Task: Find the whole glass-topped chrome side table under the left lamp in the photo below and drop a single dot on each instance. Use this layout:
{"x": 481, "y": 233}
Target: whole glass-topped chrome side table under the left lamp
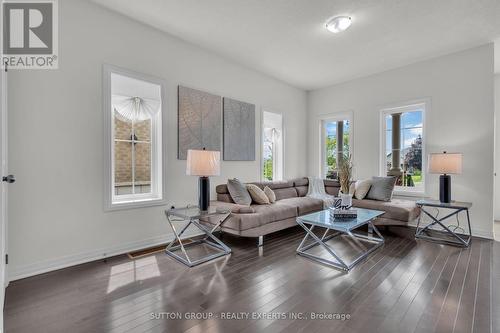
{"x": 192, "y": 214}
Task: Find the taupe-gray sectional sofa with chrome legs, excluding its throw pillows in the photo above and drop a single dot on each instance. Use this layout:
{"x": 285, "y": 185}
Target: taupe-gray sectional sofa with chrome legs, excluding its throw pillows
{"x": 291, "y": 201}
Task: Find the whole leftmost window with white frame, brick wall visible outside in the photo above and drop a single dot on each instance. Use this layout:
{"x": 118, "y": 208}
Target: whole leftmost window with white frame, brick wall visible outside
{"x": 134, "y": 131}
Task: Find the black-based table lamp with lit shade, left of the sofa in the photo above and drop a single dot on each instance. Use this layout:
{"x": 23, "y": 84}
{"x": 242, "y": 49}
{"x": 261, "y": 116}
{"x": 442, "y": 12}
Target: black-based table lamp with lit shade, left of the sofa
{"x": 203, "y": 163}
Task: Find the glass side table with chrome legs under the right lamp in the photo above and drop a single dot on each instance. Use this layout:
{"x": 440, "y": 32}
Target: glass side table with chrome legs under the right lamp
{"x": 454, "y": 238}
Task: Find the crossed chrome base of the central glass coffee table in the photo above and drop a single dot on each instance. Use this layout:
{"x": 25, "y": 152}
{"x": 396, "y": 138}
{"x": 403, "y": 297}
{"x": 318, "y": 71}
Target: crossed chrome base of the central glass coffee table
{"x": 336, "y": 261}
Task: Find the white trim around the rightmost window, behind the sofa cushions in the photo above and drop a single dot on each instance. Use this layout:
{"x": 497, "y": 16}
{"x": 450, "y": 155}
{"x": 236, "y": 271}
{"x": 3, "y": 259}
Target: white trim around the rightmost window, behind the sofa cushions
{"x": 408, "y": 106}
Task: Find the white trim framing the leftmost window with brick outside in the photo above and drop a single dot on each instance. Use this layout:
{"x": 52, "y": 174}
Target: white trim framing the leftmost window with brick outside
{"x": 158, "y": 163}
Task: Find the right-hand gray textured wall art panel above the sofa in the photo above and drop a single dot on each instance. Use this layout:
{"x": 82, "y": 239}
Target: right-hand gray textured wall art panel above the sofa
{"x": 239, "y": 130}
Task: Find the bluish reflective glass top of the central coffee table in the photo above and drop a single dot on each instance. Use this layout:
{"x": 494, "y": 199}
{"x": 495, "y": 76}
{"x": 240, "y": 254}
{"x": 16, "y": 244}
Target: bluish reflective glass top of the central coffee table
{"x": 323, "y": 219}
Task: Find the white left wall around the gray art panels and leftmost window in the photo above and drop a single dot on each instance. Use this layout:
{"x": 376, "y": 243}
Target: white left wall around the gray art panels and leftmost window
{"x": 56, "y": 212}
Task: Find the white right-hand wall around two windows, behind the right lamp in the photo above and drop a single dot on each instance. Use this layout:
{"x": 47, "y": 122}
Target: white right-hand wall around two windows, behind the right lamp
{"x": 460, "y": 87}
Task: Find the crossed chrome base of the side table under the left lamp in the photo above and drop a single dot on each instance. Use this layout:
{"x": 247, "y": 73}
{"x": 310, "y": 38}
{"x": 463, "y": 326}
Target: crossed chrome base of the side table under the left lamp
{"x": 208, "y": 239}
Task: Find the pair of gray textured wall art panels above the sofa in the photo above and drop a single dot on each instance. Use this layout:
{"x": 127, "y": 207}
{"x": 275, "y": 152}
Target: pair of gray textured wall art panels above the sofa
{"x": 206, "y": 121}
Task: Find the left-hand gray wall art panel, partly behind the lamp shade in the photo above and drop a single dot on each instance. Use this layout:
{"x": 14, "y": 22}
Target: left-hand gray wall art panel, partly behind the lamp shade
{"x": 199, "y": 121}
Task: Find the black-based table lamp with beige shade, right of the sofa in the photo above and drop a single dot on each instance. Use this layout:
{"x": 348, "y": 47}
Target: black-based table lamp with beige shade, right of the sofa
{"x": 445, "y": 164}
